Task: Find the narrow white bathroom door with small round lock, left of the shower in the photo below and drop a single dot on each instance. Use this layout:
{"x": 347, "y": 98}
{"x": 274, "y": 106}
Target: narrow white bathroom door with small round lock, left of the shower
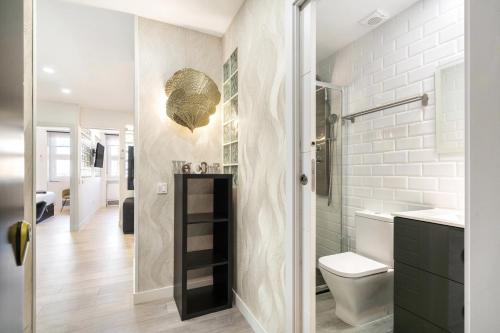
{"x": 308, "y": 163}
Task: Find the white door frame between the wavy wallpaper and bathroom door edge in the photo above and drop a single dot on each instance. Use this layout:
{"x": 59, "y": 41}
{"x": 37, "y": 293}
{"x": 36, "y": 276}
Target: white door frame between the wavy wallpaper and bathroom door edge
{"x": 297, "y": 315}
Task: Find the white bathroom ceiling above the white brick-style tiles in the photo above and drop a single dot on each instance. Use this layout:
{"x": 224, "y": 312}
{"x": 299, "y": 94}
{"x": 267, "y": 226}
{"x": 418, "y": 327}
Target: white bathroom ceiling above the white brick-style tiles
{"x": 338, "y": 21}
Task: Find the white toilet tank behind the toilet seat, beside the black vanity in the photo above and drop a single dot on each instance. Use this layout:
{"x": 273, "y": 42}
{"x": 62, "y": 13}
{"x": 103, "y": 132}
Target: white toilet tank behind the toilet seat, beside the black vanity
{"x": 375, "y": 236}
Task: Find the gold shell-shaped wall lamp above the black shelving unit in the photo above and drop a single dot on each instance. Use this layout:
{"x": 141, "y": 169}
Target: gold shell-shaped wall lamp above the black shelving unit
{"x": 192, "y": 97}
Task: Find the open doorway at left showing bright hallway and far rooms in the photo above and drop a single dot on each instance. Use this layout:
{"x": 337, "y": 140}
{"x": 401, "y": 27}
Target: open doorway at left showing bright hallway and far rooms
{"x": 83, "y": 108}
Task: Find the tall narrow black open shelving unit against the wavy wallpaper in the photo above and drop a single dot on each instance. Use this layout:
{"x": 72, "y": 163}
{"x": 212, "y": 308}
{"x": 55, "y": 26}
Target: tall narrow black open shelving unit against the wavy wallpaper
{"x": 198, "y": 301}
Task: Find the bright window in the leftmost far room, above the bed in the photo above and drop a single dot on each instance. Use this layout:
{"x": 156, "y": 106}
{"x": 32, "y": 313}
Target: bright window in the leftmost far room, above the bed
{"x": 59, "y": 155}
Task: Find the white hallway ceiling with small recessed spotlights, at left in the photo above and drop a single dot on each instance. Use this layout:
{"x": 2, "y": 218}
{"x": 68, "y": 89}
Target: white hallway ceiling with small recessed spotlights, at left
{"x": 91, "y": 51}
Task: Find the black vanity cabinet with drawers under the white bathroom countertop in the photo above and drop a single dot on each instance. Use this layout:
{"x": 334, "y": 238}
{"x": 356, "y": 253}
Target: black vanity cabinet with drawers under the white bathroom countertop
{"x": 428, "y": 277}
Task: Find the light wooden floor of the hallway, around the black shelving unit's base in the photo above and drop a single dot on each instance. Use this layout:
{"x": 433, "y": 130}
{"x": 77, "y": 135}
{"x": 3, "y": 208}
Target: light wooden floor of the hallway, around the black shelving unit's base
{"x": 84, "y": 284}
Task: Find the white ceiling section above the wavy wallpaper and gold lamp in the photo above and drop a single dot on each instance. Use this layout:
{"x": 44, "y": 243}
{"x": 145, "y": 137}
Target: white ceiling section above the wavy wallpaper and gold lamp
{"x": 208, "y": 16}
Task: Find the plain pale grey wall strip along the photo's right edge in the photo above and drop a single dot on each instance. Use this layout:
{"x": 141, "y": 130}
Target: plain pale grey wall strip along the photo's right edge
{"x": 482, "y": 223}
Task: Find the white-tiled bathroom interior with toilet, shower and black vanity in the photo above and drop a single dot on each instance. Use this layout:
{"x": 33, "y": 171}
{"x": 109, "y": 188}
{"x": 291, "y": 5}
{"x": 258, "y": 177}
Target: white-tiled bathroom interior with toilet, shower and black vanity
{"x": 389, "y": 158}
